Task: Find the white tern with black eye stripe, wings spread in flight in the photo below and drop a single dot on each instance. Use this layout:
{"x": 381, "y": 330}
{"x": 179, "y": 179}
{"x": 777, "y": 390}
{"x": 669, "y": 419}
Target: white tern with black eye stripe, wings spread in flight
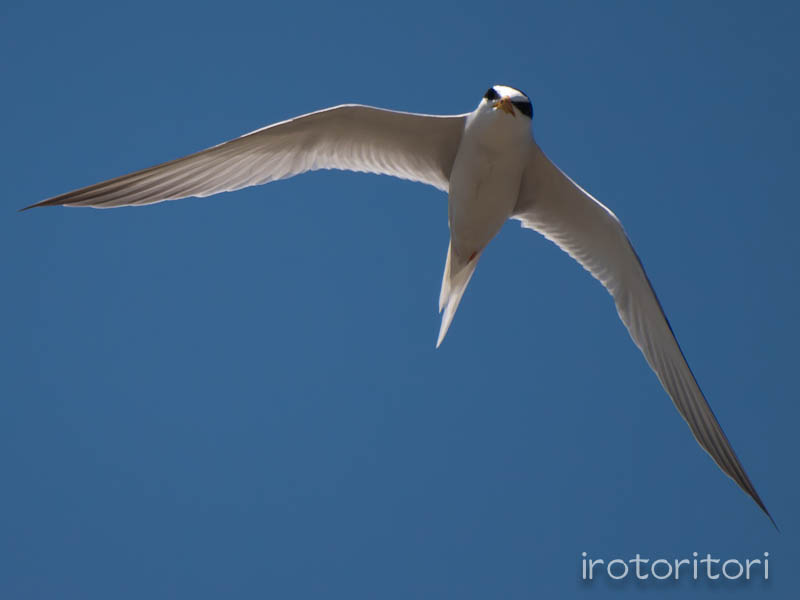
{"x": 492, "y": 169}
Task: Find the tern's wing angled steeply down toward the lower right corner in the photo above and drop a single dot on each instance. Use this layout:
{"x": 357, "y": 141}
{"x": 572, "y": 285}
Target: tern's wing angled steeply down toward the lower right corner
{"x": 553, "y": 205}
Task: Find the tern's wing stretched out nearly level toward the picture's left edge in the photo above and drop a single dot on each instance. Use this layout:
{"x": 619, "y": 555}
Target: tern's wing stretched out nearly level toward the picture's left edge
{"x": 349, "y": 137}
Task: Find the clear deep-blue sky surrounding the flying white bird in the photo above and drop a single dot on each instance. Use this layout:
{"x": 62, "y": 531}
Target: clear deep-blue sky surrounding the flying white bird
{"x": 239, "y": 396}
